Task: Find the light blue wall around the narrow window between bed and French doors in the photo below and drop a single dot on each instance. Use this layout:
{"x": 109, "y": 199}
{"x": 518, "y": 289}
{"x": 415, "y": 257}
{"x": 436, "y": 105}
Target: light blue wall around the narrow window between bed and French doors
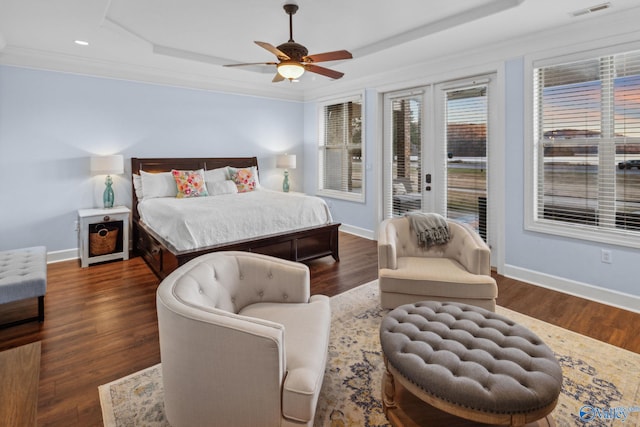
{"x": 362, "y": 217}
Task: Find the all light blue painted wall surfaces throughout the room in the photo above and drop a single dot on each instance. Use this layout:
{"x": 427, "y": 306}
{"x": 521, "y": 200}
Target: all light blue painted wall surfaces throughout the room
{"x": 51, "y": 123}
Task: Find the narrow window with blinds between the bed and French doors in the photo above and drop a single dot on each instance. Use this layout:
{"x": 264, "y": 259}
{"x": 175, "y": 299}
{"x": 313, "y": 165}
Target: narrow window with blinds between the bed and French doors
{"x": 341, "y": 148}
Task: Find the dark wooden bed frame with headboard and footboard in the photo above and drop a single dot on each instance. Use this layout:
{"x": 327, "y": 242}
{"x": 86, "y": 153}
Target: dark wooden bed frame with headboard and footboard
{"x": 163, "y": 254}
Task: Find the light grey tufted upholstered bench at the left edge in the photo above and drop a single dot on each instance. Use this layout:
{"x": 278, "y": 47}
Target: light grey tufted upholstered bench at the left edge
{"x": 23, "y": 274}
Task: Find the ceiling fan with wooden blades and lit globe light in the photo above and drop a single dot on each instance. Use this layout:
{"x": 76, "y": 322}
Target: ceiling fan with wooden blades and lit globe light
{"x": 293, "y": 58}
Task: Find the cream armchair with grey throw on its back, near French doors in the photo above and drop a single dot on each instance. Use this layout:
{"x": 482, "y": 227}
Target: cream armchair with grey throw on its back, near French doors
{"x": 459, "y": 270}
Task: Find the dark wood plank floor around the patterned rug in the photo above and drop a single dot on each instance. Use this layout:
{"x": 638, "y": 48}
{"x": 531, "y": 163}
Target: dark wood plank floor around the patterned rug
{"x": 101, "y": 323}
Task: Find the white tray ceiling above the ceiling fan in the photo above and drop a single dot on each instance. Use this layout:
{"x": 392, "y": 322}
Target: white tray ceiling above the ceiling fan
{"x": 189, "y": 40}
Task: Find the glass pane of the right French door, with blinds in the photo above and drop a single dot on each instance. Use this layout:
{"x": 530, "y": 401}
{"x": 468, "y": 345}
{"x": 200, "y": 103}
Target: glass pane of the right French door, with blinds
{"x": 466, "y": 147}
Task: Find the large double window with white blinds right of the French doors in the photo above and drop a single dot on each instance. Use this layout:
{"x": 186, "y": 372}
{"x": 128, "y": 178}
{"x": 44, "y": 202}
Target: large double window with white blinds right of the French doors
{"x": 586, "y": 144}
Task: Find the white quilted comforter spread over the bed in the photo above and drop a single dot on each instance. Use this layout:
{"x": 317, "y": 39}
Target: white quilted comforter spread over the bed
{"x": 204, "y": 221}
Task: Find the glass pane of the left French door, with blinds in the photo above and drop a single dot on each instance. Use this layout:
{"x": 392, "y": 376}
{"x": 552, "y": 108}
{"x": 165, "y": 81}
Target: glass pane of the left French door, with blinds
{"x": 406, "y": 128}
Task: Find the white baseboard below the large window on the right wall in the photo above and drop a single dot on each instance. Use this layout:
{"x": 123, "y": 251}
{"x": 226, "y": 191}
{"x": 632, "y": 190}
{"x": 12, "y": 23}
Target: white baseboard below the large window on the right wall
{"x": 583, "y": 290}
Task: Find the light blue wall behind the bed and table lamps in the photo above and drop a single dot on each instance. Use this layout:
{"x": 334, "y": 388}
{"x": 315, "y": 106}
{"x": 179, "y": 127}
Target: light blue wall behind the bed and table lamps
{"x": 51, "y": 123}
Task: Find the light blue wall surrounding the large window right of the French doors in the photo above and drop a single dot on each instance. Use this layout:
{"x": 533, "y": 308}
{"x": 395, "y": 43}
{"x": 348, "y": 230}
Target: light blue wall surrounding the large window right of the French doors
{"x": 573, "y": 259}
